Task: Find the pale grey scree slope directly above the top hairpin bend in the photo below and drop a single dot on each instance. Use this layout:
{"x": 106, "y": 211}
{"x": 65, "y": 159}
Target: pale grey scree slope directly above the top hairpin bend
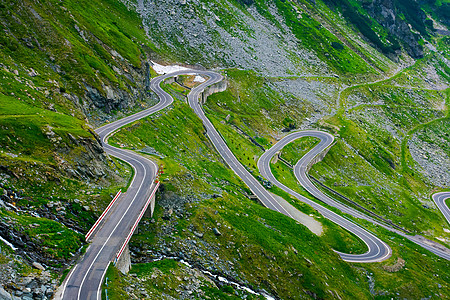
{"x": 253, "y": 43}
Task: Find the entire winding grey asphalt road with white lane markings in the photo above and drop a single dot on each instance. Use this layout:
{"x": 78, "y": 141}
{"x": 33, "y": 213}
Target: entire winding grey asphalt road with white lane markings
{"x": 85, "y": 279}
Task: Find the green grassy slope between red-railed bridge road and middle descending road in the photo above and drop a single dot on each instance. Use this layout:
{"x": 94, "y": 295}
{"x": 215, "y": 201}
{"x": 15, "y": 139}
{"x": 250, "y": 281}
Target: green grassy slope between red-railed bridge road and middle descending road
{"x": 263, "y": 249}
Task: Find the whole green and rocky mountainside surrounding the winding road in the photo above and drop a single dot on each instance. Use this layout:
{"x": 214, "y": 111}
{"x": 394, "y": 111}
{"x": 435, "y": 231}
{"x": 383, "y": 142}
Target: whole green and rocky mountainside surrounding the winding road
{"x": 373, "y": 73}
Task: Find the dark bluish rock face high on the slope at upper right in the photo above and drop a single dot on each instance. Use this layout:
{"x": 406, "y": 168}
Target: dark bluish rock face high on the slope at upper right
{"x": 385, "y": 12}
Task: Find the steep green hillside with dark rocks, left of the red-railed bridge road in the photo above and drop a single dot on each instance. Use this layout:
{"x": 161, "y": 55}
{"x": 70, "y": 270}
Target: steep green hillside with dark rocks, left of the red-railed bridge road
{"x": 54, "y": 175}
